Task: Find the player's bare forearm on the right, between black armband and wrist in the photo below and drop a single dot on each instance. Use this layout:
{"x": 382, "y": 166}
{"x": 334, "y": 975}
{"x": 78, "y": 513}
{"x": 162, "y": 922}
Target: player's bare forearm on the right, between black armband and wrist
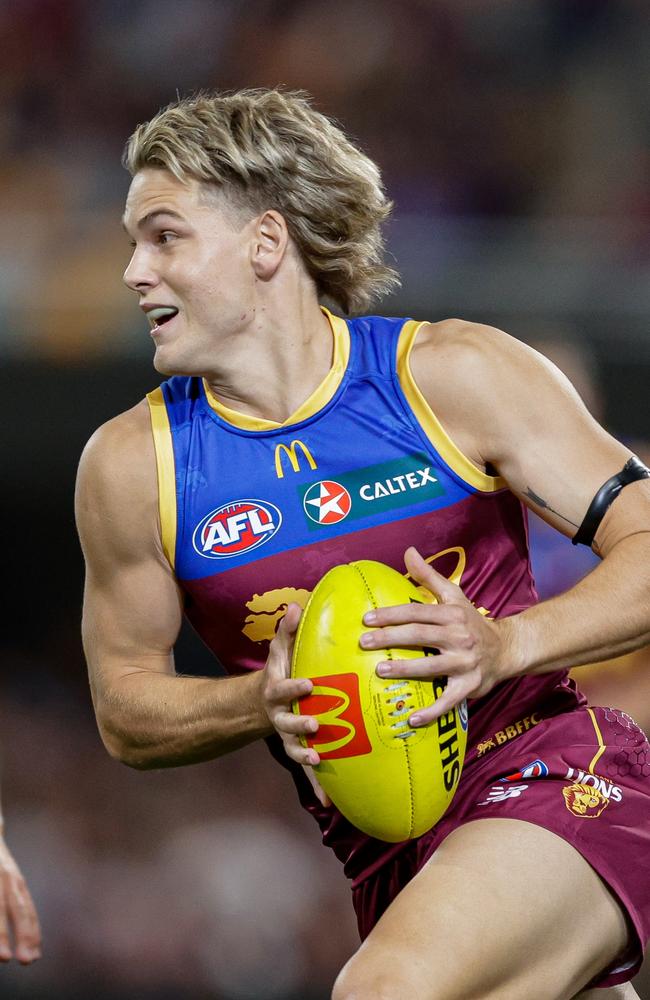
{"x": 604, "y": 615}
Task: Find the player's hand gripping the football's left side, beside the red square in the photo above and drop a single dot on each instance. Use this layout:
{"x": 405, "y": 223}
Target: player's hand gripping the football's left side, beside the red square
{"x": 279, "y": 689}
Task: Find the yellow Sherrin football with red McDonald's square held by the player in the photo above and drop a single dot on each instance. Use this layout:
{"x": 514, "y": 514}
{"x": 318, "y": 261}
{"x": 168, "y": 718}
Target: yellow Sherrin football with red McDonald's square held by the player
{"x": 390, "y": 780}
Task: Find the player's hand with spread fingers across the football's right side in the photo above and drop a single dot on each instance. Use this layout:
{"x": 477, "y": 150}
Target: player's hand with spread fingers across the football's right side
{"x": 474, "y": 653}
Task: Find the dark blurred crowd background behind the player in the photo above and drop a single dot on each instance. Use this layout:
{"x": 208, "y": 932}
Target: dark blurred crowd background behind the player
{"x": 514, "y": 138}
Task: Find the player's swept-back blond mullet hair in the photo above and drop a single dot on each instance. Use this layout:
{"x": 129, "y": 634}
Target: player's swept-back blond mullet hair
{"x": 271, "y": 149}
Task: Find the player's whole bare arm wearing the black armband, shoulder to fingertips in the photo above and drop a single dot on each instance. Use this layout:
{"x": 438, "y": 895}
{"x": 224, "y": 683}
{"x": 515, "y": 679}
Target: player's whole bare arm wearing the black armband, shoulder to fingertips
{"x": 511, "y": 410}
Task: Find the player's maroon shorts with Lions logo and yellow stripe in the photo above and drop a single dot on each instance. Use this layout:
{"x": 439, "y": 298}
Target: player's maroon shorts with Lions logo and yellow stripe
{"x": 585, "y": 776}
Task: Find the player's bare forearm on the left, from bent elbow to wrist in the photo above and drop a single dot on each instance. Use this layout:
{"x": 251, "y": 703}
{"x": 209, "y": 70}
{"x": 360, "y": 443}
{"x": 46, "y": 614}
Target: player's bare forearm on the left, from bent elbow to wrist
{"x": 150, "y": 720}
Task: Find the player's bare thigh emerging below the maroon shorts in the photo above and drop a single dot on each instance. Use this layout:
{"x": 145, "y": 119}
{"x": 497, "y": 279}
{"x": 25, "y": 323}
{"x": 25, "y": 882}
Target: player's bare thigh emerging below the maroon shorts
{"x": 503, "y": 910}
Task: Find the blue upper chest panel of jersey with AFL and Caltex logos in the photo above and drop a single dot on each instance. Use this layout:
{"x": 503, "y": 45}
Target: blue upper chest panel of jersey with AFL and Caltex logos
{"x": 359, "y": 461}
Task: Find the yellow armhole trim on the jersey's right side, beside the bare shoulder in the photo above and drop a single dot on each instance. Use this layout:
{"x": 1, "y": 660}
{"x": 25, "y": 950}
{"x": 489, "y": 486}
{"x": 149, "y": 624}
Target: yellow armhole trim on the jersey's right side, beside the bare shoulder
{"x": 430, "y": 424}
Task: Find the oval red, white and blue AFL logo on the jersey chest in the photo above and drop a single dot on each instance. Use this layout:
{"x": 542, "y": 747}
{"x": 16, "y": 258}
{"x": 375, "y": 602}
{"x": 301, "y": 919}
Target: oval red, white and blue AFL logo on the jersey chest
{"x": 236, "y": 528}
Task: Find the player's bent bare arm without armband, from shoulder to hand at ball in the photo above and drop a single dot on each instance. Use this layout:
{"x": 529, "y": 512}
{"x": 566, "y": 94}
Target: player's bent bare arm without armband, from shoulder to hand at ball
{"x": 148, "y": 715}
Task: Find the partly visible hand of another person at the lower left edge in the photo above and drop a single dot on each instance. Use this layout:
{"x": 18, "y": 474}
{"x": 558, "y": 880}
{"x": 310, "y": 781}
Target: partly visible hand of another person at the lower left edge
{"x": 19, "y": 925}
